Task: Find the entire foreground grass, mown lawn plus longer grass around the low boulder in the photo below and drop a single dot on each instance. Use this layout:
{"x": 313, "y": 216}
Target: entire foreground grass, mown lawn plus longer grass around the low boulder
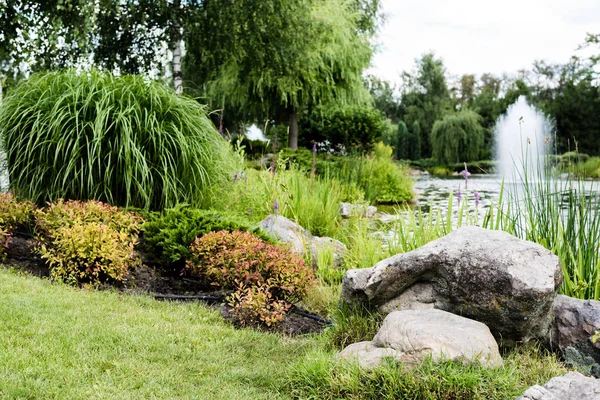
{"x": 60, "y": 342}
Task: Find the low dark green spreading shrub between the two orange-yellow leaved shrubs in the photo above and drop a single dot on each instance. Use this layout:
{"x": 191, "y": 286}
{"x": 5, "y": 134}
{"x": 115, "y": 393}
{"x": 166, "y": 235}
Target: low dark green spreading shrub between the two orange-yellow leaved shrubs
{"x": 167, "y": 237}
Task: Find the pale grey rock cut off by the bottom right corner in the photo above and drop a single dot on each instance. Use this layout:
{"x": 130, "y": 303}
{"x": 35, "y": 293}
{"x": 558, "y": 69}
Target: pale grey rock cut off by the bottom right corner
{"x": 571, "y": 386}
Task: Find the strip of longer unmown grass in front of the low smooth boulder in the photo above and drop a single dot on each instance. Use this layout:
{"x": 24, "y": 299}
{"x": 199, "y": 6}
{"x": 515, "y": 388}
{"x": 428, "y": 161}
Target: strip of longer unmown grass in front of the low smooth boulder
{"x": 317, "y": 376}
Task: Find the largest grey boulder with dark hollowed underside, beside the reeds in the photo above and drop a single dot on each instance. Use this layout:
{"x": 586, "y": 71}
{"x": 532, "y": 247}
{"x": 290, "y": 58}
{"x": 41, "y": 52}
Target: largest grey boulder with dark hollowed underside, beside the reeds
{"x": 489, "y": 276}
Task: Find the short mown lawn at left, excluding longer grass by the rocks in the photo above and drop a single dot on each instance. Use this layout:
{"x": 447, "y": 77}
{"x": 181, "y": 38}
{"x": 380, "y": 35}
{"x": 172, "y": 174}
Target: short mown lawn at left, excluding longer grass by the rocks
{"x": 58, "y": 342}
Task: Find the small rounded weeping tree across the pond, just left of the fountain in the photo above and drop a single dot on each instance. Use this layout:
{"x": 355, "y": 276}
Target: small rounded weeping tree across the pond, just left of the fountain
{"x": 457, "y": 138}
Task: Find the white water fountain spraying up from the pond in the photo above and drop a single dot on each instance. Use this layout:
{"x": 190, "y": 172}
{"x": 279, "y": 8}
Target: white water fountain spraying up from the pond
{"x": 523, "y": 137}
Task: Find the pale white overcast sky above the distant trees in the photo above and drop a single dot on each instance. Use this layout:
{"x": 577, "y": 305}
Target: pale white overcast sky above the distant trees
{"x": 478, "y": 36}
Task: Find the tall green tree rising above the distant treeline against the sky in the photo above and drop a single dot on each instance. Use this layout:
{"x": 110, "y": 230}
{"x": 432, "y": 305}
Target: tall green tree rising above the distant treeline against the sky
{"x": 426, "y": 97}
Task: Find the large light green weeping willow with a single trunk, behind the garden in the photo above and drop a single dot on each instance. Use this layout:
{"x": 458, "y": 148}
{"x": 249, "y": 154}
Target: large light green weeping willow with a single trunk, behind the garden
{"x": 288, "y": 56}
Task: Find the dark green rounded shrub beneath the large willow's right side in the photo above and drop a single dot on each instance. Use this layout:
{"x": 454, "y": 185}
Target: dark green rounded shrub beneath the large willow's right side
{"x": 347, "y": 128}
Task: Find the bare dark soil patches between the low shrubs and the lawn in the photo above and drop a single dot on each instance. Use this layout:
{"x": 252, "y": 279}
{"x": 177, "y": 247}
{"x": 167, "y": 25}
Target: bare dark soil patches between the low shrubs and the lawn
{"x": 148, "y": 280}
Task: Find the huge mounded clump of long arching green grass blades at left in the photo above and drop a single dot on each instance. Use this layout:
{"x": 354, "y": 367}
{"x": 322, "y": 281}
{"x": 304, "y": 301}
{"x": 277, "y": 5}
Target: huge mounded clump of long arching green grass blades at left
{"x": 123, "y": 140}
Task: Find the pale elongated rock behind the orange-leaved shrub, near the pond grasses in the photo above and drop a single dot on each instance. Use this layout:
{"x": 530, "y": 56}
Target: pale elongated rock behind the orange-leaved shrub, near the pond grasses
{"x": 301, "y": 240}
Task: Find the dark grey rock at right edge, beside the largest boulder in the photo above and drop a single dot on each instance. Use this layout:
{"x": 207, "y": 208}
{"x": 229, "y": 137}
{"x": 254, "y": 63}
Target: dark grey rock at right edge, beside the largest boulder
{"x": 576, "y": 332}
